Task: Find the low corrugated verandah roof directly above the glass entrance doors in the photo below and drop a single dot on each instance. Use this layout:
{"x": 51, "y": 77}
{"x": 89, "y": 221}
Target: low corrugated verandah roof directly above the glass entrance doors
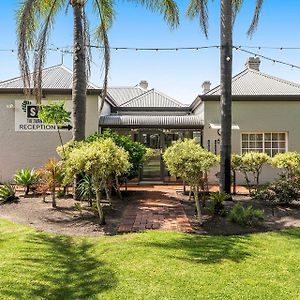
{"x": 155, "y": 121}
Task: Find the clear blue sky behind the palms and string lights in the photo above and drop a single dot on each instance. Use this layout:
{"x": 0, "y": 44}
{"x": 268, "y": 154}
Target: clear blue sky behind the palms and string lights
{"x": 179, "y": 73}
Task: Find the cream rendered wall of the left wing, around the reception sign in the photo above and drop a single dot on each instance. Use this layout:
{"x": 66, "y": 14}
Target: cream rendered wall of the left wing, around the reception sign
{"x": 31, "y": 149}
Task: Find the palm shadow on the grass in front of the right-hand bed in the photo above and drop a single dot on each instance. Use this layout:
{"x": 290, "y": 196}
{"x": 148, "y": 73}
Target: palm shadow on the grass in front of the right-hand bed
{"x": 206, "y": 249}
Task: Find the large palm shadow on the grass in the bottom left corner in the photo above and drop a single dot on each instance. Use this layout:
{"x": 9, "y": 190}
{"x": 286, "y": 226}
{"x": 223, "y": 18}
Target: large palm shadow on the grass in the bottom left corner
{"x": 59, "y": 268}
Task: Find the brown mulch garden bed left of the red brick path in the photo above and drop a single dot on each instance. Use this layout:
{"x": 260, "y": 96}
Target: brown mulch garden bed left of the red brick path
{"x": 65, "y": 219}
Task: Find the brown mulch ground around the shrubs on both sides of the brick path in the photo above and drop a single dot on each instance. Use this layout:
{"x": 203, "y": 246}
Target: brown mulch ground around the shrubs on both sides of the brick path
{"x": 66, "y": 219}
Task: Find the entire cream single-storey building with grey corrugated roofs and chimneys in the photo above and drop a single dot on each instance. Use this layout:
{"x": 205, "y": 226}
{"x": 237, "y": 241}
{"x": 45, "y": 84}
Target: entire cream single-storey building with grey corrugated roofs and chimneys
{"x": 265, "y": 113}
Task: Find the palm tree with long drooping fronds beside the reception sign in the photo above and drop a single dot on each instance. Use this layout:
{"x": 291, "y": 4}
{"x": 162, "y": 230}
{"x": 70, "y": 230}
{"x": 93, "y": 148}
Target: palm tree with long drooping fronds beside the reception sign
{"x": 35, "y": 19}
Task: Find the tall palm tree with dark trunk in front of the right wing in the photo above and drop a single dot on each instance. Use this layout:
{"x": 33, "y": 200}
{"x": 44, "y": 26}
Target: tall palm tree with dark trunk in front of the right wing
{"x": 229, "y": 9}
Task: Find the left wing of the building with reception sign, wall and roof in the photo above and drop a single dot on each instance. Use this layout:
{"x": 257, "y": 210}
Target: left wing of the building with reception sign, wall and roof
{"x": 25, "y": 142}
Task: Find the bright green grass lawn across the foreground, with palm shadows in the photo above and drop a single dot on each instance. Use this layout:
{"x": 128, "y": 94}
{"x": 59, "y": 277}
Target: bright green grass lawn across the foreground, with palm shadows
{"x": 150, "y": 265}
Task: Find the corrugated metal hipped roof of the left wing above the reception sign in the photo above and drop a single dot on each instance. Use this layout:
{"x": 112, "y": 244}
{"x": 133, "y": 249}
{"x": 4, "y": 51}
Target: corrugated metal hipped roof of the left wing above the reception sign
{"x": 56, "y": 77}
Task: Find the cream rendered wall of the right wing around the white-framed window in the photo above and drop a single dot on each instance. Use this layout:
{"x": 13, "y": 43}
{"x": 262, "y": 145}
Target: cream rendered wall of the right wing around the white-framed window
{"x": 257, "y": 116}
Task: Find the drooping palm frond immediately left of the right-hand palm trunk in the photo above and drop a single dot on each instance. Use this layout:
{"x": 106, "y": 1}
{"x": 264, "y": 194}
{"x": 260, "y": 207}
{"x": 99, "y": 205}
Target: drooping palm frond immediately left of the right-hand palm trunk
{"x": 198, "y": 8}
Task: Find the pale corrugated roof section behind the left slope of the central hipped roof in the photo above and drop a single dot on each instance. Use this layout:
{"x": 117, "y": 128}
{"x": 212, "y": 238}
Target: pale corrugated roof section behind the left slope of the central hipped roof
{"x": 123, "y": 94}
